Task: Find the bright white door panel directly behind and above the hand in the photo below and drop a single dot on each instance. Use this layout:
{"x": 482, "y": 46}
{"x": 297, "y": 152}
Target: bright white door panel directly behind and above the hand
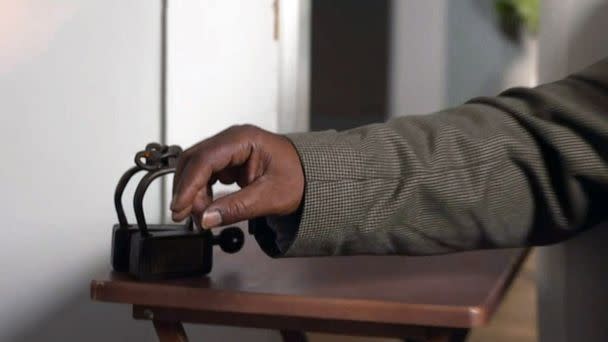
{"x": 222, "y": 68}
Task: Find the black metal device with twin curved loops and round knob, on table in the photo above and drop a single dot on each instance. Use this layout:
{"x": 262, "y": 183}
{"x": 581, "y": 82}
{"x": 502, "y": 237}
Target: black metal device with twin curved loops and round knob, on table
{"x": 161, "y": 251}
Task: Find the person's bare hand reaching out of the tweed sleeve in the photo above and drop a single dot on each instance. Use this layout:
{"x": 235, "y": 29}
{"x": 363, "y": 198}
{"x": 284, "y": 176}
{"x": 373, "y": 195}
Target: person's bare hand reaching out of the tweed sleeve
{"x": 265, "y": 165}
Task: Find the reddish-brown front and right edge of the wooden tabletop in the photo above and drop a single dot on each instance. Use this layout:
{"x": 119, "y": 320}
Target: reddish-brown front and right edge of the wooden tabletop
{"x": 364, "y": 310}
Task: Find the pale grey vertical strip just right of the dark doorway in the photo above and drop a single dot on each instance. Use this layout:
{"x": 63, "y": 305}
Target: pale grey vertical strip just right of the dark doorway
{"x": 417, "y": 56}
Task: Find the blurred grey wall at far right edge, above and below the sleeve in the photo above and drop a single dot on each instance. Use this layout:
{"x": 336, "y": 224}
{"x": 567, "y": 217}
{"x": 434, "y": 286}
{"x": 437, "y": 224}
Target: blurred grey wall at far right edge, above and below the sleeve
{"x": 572, "y": 279}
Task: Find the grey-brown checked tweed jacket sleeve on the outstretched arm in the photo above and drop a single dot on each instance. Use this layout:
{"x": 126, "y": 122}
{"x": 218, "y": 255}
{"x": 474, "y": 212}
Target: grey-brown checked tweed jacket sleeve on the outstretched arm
{"x": 528, "y": 167}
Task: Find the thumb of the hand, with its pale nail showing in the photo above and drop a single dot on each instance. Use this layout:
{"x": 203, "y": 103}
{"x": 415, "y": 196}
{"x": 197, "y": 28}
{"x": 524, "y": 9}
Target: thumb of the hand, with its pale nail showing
{"x": 245, "y": 204}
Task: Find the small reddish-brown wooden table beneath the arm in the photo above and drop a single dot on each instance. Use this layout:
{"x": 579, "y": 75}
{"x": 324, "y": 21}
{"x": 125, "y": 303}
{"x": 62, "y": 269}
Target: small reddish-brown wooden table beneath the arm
{"x": 435, "y": 298}
